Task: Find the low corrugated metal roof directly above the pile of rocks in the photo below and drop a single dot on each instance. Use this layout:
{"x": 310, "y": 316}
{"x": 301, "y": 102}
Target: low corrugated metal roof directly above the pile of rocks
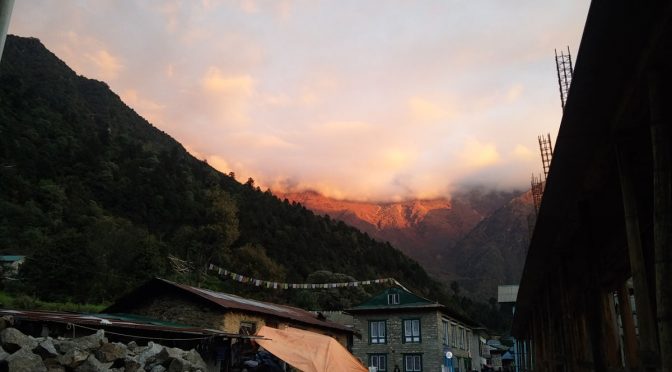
{"x": 114, "y": 320}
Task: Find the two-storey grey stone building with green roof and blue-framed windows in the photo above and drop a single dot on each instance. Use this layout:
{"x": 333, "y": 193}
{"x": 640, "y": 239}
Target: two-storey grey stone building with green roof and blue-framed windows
{"x": 403, "y": 332}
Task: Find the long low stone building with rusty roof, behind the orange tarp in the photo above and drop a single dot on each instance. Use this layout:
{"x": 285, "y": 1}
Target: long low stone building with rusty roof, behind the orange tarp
{"x": 168, "y": 301}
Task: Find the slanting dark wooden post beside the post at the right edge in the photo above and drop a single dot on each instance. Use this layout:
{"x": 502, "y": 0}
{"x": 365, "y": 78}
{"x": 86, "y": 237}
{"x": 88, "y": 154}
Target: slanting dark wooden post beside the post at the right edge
{"x": 645, "y": 316}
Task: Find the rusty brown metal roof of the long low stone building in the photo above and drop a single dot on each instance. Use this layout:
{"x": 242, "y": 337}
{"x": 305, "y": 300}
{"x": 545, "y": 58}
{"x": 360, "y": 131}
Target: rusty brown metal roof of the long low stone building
{"x": 227, "y": 301}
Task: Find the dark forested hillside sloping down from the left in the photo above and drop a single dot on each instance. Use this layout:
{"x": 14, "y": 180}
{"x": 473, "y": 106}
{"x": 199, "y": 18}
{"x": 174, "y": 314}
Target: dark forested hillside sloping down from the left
{"x": 97, "y": 198}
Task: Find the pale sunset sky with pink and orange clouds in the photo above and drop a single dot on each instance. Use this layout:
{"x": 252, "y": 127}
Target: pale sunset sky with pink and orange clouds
{"x": 378, "y": 100}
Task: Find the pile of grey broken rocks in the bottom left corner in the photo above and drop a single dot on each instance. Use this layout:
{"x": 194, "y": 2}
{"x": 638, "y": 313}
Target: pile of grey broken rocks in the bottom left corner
{"x": 93, "y": 353}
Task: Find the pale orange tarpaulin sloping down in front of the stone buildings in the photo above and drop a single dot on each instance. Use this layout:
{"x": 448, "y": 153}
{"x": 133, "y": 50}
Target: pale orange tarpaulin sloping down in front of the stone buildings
{"x": 308, "y": 351}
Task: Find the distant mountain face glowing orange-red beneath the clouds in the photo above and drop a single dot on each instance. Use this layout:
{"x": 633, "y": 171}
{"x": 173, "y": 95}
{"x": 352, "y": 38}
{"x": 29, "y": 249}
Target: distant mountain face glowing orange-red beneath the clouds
{"x": 440, "y": 233}
